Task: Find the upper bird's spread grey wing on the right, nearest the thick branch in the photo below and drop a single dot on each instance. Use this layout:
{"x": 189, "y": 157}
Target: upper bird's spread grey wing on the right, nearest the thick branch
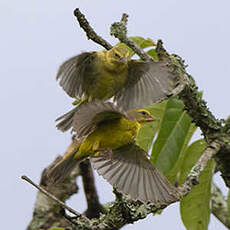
{"x": 147, "y": 83}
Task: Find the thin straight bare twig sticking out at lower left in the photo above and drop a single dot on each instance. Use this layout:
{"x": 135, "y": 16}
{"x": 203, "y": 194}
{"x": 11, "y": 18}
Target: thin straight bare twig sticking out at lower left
{"x": 53, "y": 197}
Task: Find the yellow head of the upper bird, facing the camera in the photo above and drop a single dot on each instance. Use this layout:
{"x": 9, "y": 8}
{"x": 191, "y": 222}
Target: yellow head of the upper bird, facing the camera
{"x": 117, "y": 57}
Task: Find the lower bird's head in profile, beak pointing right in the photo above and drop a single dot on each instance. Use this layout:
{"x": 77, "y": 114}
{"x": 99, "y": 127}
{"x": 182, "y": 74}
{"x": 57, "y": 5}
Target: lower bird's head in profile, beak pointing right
{"x": 140, "y": 115}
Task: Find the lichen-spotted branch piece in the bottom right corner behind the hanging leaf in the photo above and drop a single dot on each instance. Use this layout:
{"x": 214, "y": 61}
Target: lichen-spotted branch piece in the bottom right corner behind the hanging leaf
{"x": 219, "y": 206}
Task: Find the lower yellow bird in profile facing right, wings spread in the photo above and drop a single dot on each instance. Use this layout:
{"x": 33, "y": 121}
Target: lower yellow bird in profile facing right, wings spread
{"x": 109, "y": 140}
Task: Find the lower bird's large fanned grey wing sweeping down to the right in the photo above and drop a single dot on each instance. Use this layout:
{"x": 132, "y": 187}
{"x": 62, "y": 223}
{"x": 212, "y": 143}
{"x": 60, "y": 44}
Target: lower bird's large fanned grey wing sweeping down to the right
{"x": 129, "y": 170}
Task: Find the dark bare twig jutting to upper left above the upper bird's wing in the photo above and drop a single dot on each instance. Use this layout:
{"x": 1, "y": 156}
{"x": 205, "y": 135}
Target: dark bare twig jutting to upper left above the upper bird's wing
{"x": 91, "y": 34}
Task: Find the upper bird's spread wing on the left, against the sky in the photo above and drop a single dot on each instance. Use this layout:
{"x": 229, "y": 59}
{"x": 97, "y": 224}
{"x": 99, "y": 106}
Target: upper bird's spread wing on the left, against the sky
{"x": 74, "y": 74}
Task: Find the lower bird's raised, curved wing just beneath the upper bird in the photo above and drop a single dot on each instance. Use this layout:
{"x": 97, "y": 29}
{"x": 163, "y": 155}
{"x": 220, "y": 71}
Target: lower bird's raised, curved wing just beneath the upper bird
{"x": 90, "y": 115}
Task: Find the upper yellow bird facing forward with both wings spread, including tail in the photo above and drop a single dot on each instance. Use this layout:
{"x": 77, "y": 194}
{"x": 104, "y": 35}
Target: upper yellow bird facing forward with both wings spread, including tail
{"x": 106, "y": 74}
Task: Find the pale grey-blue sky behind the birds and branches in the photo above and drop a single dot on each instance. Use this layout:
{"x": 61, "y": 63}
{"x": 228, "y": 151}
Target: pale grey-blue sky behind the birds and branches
{"x": 37, "y": 36}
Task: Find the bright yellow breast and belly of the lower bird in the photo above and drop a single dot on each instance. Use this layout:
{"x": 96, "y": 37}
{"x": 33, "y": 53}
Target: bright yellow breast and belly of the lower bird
{"x": 110, "y": 136}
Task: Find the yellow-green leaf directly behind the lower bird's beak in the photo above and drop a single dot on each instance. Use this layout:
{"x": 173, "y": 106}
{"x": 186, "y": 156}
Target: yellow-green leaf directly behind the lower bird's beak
{"x": 148, "y": 130}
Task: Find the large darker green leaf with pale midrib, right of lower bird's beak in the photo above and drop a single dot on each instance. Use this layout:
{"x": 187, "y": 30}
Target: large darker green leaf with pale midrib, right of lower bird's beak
{"x": 172, "y": 136}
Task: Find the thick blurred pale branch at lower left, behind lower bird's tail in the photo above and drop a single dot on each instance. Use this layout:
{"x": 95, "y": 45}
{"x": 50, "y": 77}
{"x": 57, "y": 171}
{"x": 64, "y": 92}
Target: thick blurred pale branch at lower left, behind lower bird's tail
{"x": 47, "y": 211}
